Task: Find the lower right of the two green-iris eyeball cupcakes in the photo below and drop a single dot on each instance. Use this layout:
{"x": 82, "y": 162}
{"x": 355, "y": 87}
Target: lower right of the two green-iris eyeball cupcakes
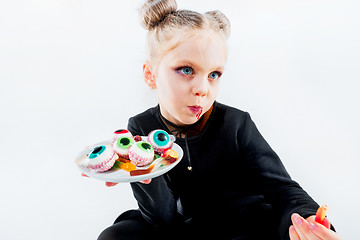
{"x": 141, "y": 153}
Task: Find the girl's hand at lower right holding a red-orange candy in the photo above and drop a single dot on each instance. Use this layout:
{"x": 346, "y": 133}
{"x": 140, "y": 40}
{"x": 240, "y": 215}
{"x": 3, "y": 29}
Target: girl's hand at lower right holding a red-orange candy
{"x": 310, "y": 230}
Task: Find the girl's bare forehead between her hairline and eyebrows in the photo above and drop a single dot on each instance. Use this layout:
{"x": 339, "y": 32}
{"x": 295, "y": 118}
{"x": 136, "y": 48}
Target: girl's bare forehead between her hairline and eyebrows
{"x": 205, "y": 48}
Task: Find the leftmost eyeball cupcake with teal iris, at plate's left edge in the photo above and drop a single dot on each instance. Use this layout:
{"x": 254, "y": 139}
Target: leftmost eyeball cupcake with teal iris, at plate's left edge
{"x": 101, "y": 158}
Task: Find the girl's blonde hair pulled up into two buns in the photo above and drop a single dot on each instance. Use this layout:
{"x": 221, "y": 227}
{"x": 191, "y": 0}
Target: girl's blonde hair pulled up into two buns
{"x": 162, "y": 19}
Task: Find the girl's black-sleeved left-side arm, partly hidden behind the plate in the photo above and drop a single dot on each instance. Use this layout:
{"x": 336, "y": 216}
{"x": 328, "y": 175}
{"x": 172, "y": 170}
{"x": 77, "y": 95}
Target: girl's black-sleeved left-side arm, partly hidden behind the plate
{"x": 155, "y": 200}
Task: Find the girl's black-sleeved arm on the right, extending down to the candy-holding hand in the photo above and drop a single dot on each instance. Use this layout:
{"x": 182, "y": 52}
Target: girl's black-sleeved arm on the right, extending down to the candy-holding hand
{"x": 285, "y": 195}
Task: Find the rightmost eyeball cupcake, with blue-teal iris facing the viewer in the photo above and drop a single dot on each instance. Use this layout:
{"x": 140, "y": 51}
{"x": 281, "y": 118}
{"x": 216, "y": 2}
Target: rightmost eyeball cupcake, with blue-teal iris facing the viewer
{"x": 160, "y": 140}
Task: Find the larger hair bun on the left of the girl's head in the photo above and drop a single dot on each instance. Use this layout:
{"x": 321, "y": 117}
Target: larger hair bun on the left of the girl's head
{"x": 155, "y": 11}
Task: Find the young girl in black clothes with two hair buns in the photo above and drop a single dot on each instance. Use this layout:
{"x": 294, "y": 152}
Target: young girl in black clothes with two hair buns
{"x": 230, "y": 184}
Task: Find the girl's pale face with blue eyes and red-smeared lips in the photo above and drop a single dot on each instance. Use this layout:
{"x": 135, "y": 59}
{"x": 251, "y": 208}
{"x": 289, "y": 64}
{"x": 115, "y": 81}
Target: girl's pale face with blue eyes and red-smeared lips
{"x": 187, "y": 77}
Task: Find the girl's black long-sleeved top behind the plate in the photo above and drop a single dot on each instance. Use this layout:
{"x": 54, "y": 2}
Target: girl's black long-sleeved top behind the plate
{"x": 238, "y": 187}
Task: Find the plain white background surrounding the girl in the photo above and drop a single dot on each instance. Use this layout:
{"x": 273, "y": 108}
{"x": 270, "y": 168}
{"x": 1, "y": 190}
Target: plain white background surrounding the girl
{"x": 70, "y": 73}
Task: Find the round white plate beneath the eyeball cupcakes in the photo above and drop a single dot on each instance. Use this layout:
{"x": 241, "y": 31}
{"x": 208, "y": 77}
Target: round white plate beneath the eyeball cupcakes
{"x": 119, "y": 175}
